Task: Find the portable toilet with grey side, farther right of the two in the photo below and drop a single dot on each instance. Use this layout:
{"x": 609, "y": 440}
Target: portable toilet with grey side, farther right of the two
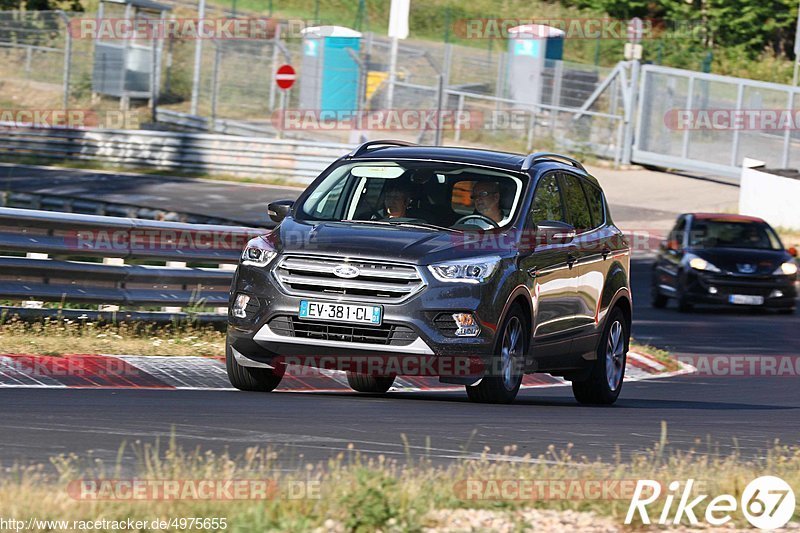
{"x": 531, "y": 48}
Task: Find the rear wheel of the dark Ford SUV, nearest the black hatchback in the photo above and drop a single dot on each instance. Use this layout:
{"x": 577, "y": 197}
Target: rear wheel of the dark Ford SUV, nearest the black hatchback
{"x": 608, "y": 371}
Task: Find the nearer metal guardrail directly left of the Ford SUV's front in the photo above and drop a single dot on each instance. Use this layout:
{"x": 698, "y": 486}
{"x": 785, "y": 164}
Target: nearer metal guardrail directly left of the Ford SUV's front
{"x": 194, "y": 265}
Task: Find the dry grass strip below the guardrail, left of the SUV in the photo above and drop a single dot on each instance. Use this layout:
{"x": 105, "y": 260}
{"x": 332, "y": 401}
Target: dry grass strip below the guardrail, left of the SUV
{"x": 63, "y": 336}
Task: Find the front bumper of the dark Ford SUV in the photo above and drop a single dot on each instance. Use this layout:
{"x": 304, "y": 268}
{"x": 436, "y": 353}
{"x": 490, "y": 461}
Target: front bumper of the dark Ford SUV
{"x": 271, "y": 327}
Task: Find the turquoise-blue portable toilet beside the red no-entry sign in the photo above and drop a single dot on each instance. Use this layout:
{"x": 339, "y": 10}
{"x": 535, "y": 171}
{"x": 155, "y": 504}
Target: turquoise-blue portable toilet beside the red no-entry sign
{"x": 329, "y": 75}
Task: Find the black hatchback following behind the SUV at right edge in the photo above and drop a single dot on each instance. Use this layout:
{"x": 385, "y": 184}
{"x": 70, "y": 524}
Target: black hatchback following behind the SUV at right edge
{"x": 724, "y": 259}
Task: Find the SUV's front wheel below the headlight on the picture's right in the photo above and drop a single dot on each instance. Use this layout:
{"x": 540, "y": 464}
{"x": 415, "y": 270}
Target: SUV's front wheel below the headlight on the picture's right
{"x": 504, "y": 378}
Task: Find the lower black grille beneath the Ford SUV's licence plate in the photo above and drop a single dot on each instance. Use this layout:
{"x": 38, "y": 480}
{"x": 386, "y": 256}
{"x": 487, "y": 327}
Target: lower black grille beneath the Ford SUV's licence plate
{"x": 388, "y": 334}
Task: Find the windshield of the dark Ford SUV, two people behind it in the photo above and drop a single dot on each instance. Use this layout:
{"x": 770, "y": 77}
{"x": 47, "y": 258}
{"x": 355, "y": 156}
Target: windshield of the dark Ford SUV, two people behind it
{"x": 446, "y": 195}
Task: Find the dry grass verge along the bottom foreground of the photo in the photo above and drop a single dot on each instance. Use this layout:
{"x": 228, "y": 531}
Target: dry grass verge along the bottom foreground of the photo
{"x": 356, "y": 493}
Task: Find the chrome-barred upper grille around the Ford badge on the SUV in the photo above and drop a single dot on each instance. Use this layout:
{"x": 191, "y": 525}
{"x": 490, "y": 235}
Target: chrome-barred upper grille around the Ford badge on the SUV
{"x": 376, "y": 281}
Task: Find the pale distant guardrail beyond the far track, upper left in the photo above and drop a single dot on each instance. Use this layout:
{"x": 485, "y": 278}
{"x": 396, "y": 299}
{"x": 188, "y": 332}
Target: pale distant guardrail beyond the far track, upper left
{"x": 299, "y": 161}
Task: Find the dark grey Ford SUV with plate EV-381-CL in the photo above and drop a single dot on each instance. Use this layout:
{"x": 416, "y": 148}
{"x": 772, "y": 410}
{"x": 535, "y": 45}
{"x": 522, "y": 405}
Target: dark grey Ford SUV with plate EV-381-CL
{"x": 400, "y": 251}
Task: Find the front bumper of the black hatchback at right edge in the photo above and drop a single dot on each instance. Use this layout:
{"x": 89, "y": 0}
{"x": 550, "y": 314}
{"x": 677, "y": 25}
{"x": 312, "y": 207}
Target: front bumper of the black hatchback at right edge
{"x": 778, "y": 292}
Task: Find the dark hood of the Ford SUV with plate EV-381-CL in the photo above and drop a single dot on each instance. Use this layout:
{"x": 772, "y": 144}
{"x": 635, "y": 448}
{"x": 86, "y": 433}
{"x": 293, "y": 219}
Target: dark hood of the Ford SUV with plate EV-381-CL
{"x": 356, "y": 239}
